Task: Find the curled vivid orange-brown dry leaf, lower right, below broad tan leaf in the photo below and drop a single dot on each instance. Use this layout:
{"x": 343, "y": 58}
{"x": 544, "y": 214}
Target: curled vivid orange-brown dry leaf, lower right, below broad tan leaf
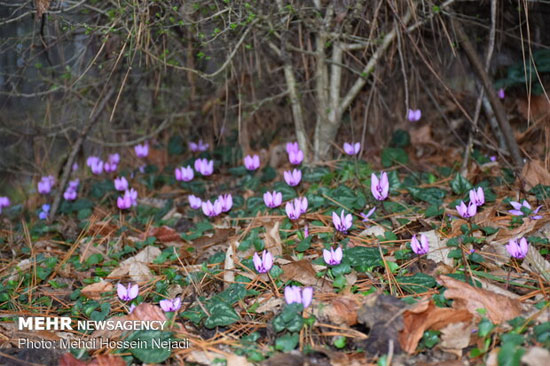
{"x": 425, "y": 316}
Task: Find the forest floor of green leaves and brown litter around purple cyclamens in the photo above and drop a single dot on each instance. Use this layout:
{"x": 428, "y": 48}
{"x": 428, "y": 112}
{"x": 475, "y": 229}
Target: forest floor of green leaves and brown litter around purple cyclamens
{"x": 466, "y": 297}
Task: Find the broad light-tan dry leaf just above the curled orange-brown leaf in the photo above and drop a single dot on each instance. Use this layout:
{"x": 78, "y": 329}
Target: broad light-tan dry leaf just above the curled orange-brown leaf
{"x": 499, "y": 308}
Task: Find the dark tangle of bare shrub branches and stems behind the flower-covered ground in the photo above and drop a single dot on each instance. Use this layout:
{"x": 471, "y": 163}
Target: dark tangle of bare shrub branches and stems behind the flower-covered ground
{"x": 259, "y": 73}
